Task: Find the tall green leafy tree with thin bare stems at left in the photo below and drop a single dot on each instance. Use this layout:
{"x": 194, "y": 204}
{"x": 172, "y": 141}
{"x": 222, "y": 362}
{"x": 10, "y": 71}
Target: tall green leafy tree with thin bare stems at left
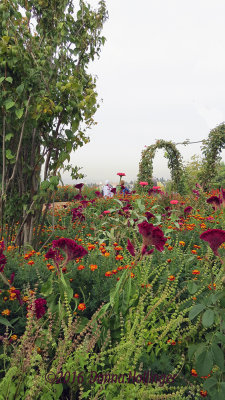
{"x": 47, "y": 100}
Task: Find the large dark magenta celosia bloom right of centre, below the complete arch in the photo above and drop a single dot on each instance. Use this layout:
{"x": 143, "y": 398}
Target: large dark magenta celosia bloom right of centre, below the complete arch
{"x": 152, "y": 235}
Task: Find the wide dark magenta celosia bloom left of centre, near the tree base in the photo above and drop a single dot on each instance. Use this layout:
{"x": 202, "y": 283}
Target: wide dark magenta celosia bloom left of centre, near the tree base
{"x": 70, "y": 247}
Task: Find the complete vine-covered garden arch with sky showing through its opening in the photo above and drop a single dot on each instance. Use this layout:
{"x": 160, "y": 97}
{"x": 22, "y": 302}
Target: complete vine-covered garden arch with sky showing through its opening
{"x": 174, "y": 163}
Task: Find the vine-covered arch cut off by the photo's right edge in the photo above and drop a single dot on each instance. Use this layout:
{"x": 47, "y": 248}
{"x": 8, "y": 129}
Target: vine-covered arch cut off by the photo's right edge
{"x": 211, "y": 150}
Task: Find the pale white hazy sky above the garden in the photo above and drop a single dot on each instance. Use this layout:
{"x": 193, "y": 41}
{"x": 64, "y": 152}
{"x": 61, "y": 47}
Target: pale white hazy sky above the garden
{"x": 161, "y": 75}
